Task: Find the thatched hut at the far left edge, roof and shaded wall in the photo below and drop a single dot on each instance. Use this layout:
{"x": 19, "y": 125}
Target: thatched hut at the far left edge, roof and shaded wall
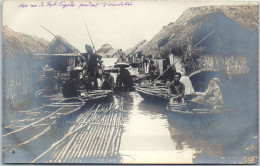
{"x": 19, "y": 80}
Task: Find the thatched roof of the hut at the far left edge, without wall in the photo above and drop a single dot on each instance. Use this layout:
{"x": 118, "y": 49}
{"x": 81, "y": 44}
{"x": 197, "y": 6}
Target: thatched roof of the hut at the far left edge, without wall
{"x": 16, "y": 44}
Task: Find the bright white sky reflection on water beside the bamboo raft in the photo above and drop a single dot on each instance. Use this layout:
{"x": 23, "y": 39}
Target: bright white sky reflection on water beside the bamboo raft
{"x": 146, "y": 138}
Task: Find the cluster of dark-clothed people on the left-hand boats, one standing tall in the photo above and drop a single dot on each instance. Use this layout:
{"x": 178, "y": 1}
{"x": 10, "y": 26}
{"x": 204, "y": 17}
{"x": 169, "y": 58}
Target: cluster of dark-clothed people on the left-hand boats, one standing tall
{"x": 87, "y": 77}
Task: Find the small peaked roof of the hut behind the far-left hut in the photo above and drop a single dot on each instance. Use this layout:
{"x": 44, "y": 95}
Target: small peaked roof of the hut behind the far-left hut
{"x": 60, "y": 46}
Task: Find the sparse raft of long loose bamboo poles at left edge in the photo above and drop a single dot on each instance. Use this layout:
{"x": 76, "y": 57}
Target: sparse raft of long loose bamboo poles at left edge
{"x": 35, "y": 122}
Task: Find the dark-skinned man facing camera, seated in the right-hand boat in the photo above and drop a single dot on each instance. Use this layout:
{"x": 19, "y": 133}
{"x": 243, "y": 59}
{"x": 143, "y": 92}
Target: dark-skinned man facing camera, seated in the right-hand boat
{"x": 176, "y": 89}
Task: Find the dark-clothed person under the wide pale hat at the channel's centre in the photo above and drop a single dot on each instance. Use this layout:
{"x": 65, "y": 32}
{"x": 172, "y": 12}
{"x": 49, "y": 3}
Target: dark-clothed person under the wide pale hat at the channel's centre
{"x": 124, "y": 78}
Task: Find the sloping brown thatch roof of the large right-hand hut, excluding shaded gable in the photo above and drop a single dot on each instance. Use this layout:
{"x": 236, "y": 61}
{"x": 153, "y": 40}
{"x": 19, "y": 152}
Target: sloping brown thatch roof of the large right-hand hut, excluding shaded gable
{"x": 174, "y": 36}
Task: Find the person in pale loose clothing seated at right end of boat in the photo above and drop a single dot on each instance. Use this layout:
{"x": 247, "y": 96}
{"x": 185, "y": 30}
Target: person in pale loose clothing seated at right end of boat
{"x": 212, "y": 97}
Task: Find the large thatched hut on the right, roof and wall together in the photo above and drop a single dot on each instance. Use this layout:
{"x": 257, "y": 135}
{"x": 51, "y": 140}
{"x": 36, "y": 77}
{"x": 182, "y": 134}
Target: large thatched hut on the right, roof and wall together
{"x": 215, "y": 36}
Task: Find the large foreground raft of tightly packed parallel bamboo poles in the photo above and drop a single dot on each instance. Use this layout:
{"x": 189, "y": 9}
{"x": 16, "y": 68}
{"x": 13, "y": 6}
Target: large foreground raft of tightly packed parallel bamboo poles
{"x": 94, "y": 137}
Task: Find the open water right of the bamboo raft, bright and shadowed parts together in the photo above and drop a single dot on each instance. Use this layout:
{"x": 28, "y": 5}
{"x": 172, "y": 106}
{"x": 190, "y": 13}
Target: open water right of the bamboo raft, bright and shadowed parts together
{"x": 153, "y": 135}
